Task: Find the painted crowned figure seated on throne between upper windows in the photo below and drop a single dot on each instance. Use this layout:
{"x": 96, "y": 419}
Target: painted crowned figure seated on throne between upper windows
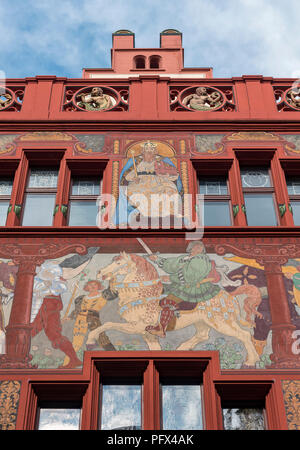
{"x": 148, "y": 174}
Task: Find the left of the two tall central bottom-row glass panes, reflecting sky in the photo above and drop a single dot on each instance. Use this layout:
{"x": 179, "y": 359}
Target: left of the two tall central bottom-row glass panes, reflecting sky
{"x": 121, "y": 407}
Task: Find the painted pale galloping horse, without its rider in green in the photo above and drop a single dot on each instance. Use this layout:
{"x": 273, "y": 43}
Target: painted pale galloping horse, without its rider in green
{"x": 139, "y": 294}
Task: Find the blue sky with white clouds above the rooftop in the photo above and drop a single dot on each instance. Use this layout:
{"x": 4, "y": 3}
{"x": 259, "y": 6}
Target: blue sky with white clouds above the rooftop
{"x": 235, "y": 37}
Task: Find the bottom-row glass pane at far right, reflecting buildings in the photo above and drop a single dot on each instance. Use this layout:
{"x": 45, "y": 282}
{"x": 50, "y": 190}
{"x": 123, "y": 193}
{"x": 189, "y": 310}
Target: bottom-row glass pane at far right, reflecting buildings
{"x": 243, "y": 419}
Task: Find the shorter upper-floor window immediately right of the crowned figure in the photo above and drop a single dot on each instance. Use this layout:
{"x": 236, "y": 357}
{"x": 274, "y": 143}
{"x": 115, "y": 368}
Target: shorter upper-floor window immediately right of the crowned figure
{"x": 216, "y": 200}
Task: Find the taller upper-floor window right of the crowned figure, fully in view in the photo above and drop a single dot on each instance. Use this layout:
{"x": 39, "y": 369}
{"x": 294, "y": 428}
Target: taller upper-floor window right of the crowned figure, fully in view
{"x": 258, "y": 194}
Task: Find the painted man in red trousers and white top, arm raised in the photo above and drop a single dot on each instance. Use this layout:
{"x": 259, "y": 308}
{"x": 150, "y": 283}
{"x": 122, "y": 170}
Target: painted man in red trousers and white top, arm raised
{"x": 49, "y": 284}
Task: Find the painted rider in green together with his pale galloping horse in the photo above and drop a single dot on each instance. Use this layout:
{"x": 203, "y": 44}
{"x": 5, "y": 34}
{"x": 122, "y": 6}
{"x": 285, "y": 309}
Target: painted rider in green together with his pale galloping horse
{"x": 142, "y": 288}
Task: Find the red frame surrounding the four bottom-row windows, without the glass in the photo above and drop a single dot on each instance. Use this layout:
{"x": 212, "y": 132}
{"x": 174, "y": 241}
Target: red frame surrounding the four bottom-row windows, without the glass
{"x": 84, "y": 387}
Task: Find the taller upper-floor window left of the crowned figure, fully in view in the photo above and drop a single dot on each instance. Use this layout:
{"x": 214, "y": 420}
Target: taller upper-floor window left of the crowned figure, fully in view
{"x": 40, "y": 194}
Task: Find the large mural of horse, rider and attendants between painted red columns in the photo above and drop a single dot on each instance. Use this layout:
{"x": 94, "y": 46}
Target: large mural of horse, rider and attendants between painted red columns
{"x": 136, "y": 301}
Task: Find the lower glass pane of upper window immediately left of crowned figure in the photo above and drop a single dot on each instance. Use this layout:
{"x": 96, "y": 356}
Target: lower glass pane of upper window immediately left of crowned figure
{"x": 83, "y": 213}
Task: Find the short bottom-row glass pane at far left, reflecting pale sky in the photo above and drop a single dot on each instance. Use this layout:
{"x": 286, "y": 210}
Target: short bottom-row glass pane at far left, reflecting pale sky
{"x": 59, "y": 419}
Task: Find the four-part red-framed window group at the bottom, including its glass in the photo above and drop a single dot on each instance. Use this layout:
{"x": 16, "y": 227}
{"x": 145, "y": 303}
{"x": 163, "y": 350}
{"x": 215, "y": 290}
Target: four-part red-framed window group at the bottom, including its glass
{"x": 152, "y": 390}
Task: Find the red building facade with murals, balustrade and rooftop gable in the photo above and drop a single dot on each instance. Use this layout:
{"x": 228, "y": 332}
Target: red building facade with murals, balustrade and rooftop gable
{"x": 217, "y": 299}
